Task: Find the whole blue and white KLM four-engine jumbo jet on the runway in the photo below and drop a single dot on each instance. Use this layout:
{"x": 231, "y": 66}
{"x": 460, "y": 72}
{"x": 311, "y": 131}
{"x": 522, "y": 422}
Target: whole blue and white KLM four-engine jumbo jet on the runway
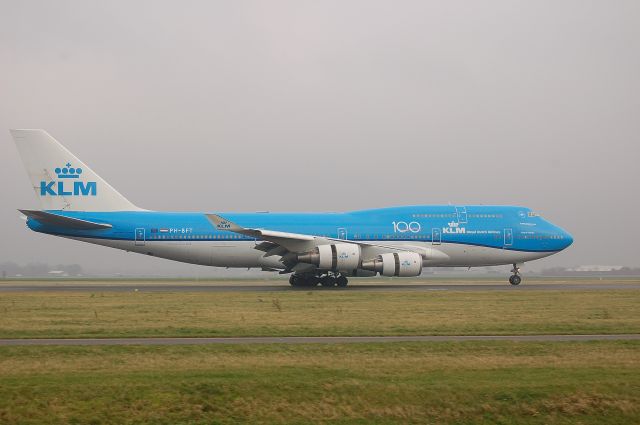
{"x": 314, "y": 248}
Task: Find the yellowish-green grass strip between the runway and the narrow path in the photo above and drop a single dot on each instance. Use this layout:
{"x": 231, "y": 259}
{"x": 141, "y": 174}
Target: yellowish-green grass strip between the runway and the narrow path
{"x": 316, "y": 313}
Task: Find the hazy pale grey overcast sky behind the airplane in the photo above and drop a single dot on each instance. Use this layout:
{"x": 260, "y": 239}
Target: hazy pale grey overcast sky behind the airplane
{"x": 332, "y": 105}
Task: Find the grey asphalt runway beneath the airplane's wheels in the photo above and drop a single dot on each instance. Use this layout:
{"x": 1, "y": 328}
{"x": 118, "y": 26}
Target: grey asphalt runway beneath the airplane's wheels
{"x": 171, "y": 287}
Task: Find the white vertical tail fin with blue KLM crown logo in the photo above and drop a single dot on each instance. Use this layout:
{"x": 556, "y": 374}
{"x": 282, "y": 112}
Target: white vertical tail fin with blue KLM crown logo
{"x": 60, "y": 180}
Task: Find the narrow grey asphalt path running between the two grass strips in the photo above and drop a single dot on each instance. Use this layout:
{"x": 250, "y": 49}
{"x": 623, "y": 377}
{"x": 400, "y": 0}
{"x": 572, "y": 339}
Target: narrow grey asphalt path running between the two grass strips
{"x": 313, "y": 340}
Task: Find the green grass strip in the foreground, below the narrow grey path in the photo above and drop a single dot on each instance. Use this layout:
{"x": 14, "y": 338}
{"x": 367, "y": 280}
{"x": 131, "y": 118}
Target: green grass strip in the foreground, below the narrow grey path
{"x": 449, "y": 383}
